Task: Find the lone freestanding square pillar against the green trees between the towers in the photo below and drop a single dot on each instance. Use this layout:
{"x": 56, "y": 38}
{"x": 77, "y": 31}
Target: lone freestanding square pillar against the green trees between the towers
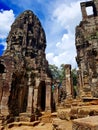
{"x": 69, "y": 89}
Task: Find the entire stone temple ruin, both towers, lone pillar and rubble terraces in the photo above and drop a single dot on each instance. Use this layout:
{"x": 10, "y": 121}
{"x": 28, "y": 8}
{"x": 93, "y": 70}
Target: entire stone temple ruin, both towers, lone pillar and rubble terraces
{"x": 28, "y": 91}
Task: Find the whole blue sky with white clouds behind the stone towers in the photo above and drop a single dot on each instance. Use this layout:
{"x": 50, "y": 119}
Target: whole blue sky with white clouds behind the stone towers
{"x": 59, "y": 19}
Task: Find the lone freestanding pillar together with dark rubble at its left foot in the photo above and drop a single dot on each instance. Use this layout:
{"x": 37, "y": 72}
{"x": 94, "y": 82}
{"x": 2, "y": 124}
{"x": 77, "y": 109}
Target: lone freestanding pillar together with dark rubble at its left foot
{"x": 66, "y": 90}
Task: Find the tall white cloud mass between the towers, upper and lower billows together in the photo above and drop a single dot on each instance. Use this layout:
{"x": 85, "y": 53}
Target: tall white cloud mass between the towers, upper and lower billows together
{"x": 65, "y": 17}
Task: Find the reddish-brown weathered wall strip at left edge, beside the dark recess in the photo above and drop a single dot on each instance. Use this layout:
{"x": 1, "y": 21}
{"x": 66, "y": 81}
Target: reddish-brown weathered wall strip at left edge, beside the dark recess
{"x": 6, "y": 68}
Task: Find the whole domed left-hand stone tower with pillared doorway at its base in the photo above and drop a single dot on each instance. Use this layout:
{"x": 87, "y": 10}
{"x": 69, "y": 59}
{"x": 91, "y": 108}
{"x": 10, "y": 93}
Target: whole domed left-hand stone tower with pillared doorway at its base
{"x": 25, "y": 80}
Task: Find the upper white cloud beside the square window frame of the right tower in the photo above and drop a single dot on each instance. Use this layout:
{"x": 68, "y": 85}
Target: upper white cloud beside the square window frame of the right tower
{"x": 68, "y": 16}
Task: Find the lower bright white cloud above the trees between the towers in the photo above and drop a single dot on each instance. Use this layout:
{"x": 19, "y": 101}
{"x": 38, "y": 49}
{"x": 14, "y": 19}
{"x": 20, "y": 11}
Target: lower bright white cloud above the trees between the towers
{"x": 66, "y": 51}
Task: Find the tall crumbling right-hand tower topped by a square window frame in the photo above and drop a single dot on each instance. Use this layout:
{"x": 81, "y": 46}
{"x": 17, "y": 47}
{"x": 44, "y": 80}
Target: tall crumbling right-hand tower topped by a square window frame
{"x": 87, "y": 51}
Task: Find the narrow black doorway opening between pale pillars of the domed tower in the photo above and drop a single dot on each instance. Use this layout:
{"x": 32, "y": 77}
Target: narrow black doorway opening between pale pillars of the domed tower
{"x": 42, "y": 96}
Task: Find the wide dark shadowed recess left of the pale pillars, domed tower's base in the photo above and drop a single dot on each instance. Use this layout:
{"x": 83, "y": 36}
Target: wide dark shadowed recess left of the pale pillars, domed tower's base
{"x": 18, "y": 95}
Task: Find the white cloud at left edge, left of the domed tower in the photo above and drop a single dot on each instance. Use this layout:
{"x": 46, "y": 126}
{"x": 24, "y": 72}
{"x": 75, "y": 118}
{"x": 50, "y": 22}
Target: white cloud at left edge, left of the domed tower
{"x": 6, "y": 19}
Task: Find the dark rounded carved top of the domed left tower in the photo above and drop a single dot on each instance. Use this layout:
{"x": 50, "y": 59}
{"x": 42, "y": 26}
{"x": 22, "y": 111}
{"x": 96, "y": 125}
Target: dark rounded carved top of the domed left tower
{"x": 28, "y": 33}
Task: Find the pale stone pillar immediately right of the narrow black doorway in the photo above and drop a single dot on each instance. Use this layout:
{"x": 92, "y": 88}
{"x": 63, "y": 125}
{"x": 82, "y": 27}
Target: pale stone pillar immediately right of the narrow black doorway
{"x": 48, "y": 95}
